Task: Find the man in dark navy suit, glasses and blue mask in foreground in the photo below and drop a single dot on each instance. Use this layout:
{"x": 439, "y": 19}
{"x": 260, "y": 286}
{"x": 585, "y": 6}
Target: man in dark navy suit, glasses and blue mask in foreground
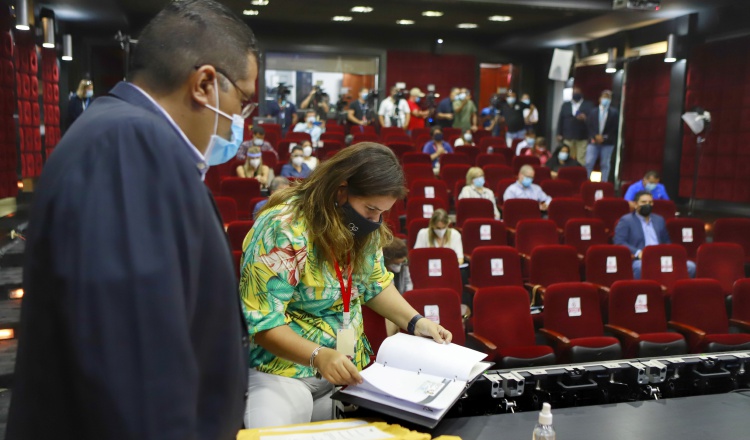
{"x": 131, "y": 324}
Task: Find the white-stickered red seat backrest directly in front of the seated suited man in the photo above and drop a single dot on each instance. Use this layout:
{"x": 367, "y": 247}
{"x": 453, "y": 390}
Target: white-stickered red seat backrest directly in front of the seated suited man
{"x": 665, "y": 263}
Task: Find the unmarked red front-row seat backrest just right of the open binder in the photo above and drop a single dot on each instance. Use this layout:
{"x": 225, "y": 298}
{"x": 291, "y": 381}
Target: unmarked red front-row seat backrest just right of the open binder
{"x": 502, "y": 315}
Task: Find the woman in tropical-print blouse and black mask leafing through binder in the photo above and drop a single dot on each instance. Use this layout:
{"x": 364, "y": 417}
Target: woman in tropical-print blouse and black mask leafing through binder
{"x": 313, "y": 259}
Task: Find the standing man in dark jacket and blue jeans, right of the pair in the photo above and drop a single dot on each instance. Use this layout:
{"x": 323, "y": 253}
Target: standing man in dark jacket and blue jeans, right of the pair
{"x": 603, "y": 123}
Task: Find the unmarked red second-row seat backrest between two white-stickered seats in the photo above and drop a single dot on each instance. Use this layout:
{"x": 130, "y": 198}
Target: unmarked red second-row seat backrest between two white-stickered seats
{"x": 554, "y": 264}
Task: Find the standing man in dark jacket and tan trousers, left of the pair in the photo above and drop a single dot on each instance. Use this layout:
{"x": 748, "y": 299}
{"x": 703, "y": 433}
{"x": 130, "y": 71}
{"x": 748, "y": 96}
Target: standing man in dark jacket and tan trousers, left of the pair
{"x": 571, "y": 124}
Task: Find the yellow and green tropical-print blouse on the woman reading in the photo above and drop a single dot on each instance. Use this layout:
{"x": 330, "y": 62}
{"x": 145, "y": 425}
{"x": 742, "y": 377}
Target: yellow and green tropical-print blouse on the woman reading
{"x": 284, "y": 281}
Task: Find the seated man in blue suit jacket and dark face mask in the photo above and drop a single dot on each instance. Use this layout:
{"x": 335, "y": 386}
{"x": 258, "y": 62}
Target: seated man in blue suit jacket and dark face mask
{"x": 642, "y": 228}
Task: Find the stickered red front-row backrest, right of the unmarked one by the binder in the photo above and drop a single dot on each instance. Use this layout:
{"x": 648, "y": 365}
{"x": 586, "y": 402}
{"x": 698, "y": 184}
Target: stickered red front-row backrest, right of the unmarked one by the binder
{"x": 572, "y": 309}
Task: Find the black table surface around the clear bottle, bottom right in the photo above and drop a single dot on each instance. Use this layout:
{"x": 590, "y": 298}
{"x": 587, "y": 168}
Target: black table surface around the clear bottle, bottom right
{"x": 713, "y": 417}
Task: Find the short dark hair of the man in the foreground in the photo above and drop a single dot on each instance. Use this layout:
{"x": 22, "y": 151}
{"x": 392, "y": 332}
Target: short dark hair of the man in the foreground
{"x": 187, "y": 34}
